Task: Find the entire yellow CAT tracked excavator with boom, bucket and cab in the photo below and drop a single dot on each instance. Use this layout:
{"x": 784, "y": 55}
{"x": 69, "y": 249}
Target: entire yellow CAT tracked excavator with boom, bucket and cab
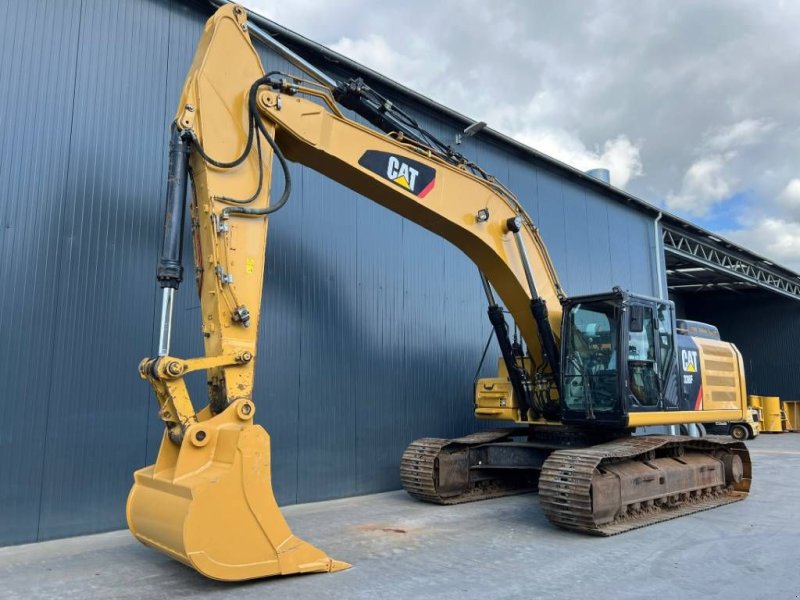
{"x": 584, "y": 374}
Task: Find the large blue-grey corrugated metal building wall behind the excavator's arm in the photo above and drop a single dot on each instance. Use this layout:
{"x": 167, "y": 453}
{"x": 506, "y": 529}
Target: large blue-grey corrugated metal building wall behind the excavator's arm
{"x": 372, "y": 327}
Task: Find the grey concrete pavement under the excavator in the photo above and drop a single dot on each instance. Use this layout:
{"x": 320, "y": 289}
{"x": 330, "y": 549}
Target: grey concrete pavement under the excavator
{"x": 505, "y": 548}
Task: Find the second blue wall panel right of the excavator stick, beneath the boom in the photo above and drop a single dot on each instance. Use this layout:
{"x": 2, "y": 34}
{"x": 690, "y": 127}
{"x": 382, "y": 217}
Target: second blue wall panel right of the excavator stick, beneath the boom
{"x": 327, "y": 397}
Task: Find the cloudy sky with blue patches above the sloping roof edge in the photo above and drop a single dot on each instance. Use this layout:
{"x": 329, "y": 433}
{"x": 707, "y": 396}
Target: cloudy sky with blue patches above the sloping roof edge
{"x": 693, "y": 106}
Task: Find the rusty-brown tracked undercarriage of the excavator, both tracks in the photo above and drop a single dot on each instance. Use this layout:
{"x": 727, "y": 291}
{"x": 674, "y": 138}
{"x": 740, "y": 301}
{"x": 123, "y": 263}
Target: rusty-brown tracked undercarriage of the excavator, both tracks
{"x": 585, "y": 483}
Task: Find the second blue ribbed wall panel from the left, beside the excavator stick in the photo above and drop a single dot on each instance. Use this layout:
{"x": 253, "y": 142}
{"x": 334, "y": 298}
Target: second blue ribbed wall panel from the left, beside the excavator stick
{"x": 108, "y": 242}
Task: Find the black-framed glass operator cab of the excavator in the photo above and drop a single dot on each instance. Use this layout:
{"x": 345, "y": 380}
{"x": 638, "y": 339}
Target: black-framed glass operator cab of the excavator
{"x": 618, "y": 356}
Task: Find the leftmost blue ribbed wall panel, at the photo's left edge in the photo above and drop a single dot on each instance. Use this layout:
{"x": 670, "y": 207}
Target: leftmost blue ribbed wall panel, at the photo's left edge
{"x": 36, "y": 115}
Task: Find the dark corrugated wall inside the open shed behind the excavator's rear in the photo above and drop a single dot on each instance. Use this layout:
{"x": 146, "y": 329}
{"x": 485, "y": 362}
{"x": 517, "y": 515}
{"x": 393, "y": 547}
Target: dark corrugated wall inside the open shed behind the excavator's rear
{"x": 766, "y": 329}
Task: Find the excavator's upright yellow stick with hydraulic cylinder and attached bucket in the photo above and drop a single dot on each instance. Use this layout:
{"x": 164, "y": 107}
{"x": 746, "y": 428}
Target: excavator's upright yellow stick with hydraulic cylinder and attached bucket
{"x": 208, "y": 501}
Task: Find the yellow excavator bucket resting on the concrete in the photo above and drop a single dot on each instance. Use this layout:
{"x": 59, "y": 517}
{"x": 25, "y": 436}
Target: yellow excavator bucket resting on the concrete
{"x": 208, "y": 503}
